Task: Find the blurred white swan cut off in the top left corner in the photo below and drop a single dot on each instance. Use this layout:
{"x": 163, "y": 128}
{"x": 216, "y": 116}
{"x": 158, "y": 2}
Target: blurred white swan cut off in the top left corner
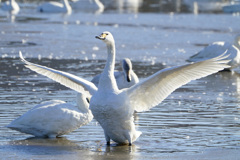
{"x": 10, "y": 6}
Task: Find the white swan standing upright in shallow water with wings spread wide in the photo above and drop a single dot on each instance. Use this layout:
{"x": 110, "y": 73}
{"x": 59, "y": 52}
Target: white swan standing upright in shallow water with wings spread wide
{"x": 114, "y": 108}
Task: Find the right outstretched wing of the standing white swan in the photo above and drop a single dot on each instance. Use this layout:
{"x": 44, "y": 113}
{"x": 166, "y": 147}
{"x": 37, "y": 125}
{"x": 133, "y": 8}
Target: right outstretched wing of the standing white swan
{"x": 153, "y": 90}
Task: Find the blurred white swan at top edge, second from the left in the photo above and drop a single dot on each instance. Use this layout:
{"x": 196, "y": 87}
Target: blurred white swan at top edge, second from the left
{"x": 55, "y": 7}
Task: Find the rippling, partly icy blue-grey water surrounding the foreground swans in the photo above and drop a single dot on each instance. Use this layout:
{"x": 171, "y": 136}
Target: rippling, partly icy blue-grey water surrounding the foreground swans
{"x": 200, "y": 120}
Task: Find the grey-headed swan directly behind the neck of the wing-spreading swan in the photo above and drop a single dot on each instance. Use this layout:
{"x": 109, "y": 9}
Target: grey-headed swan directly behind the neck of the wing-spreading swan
{"x": 125, "y": 78}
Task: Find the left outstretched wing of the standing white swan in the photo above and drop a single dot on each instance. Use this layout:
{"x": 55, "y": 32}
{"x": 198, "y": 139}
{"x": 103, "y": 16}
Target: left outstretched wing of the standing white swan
{"x": 71, "y": 81}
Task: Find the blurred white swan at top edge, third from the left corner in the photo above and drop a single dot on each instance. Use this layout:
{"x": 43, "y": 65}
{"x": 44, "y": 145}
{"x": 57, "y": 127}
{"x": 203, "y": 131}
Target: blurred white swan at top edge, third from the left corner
{"x": 88, "y": 5}
